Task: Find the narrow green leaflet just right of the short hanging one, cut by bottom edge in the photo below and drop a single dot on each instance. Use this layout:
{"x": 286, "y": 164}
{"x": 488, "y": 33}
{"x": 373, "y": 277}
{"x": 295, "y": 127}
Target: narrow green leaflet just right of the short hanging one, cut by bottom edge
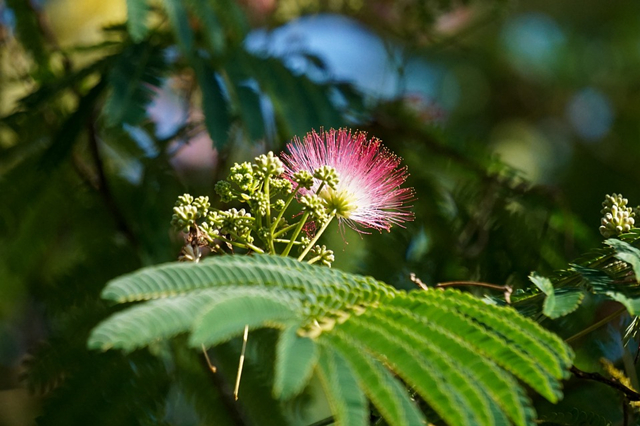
{"x": 345, "y": 397}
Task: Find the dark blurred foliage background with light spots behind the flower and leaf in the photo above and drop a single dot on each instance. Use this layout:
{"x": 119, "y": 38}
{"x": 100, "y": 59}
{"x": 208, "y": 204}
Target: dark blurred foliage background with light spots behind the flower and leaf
{"x": 514, "y": 119}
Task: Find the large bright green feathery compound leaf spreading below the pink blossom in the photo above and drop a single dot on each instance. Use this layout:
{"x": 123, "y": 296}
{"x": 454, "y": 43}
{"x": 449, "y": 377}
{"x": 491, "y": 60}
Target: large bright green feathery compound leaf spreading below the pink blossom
{"x": 458, "y": 353}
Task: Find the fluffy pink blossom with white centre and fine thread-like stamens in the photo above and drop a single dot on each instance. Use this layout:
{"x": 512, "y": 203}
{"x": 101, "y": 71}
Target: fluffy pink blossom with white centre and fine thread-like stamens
{"x": 368, "y": 192}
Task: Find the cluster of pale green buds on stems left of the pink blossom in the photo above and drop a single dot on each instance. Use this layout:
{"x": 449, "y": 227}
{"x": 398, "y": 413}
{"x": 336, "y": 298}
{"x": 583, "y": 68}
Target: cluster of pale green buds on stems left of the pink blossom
{"x": 261, "y": 225}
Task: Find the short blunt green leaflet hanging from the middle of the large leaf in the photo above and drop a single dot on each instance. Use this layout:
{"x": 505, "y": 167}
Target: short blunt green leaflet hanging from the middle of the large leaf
{"x": 295, "y": 358}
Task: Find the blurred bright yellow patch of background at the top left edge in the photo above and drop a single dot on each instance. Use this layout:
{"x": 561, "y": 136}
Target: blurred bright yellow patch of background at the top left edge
{"x": 80, "y": 22}
